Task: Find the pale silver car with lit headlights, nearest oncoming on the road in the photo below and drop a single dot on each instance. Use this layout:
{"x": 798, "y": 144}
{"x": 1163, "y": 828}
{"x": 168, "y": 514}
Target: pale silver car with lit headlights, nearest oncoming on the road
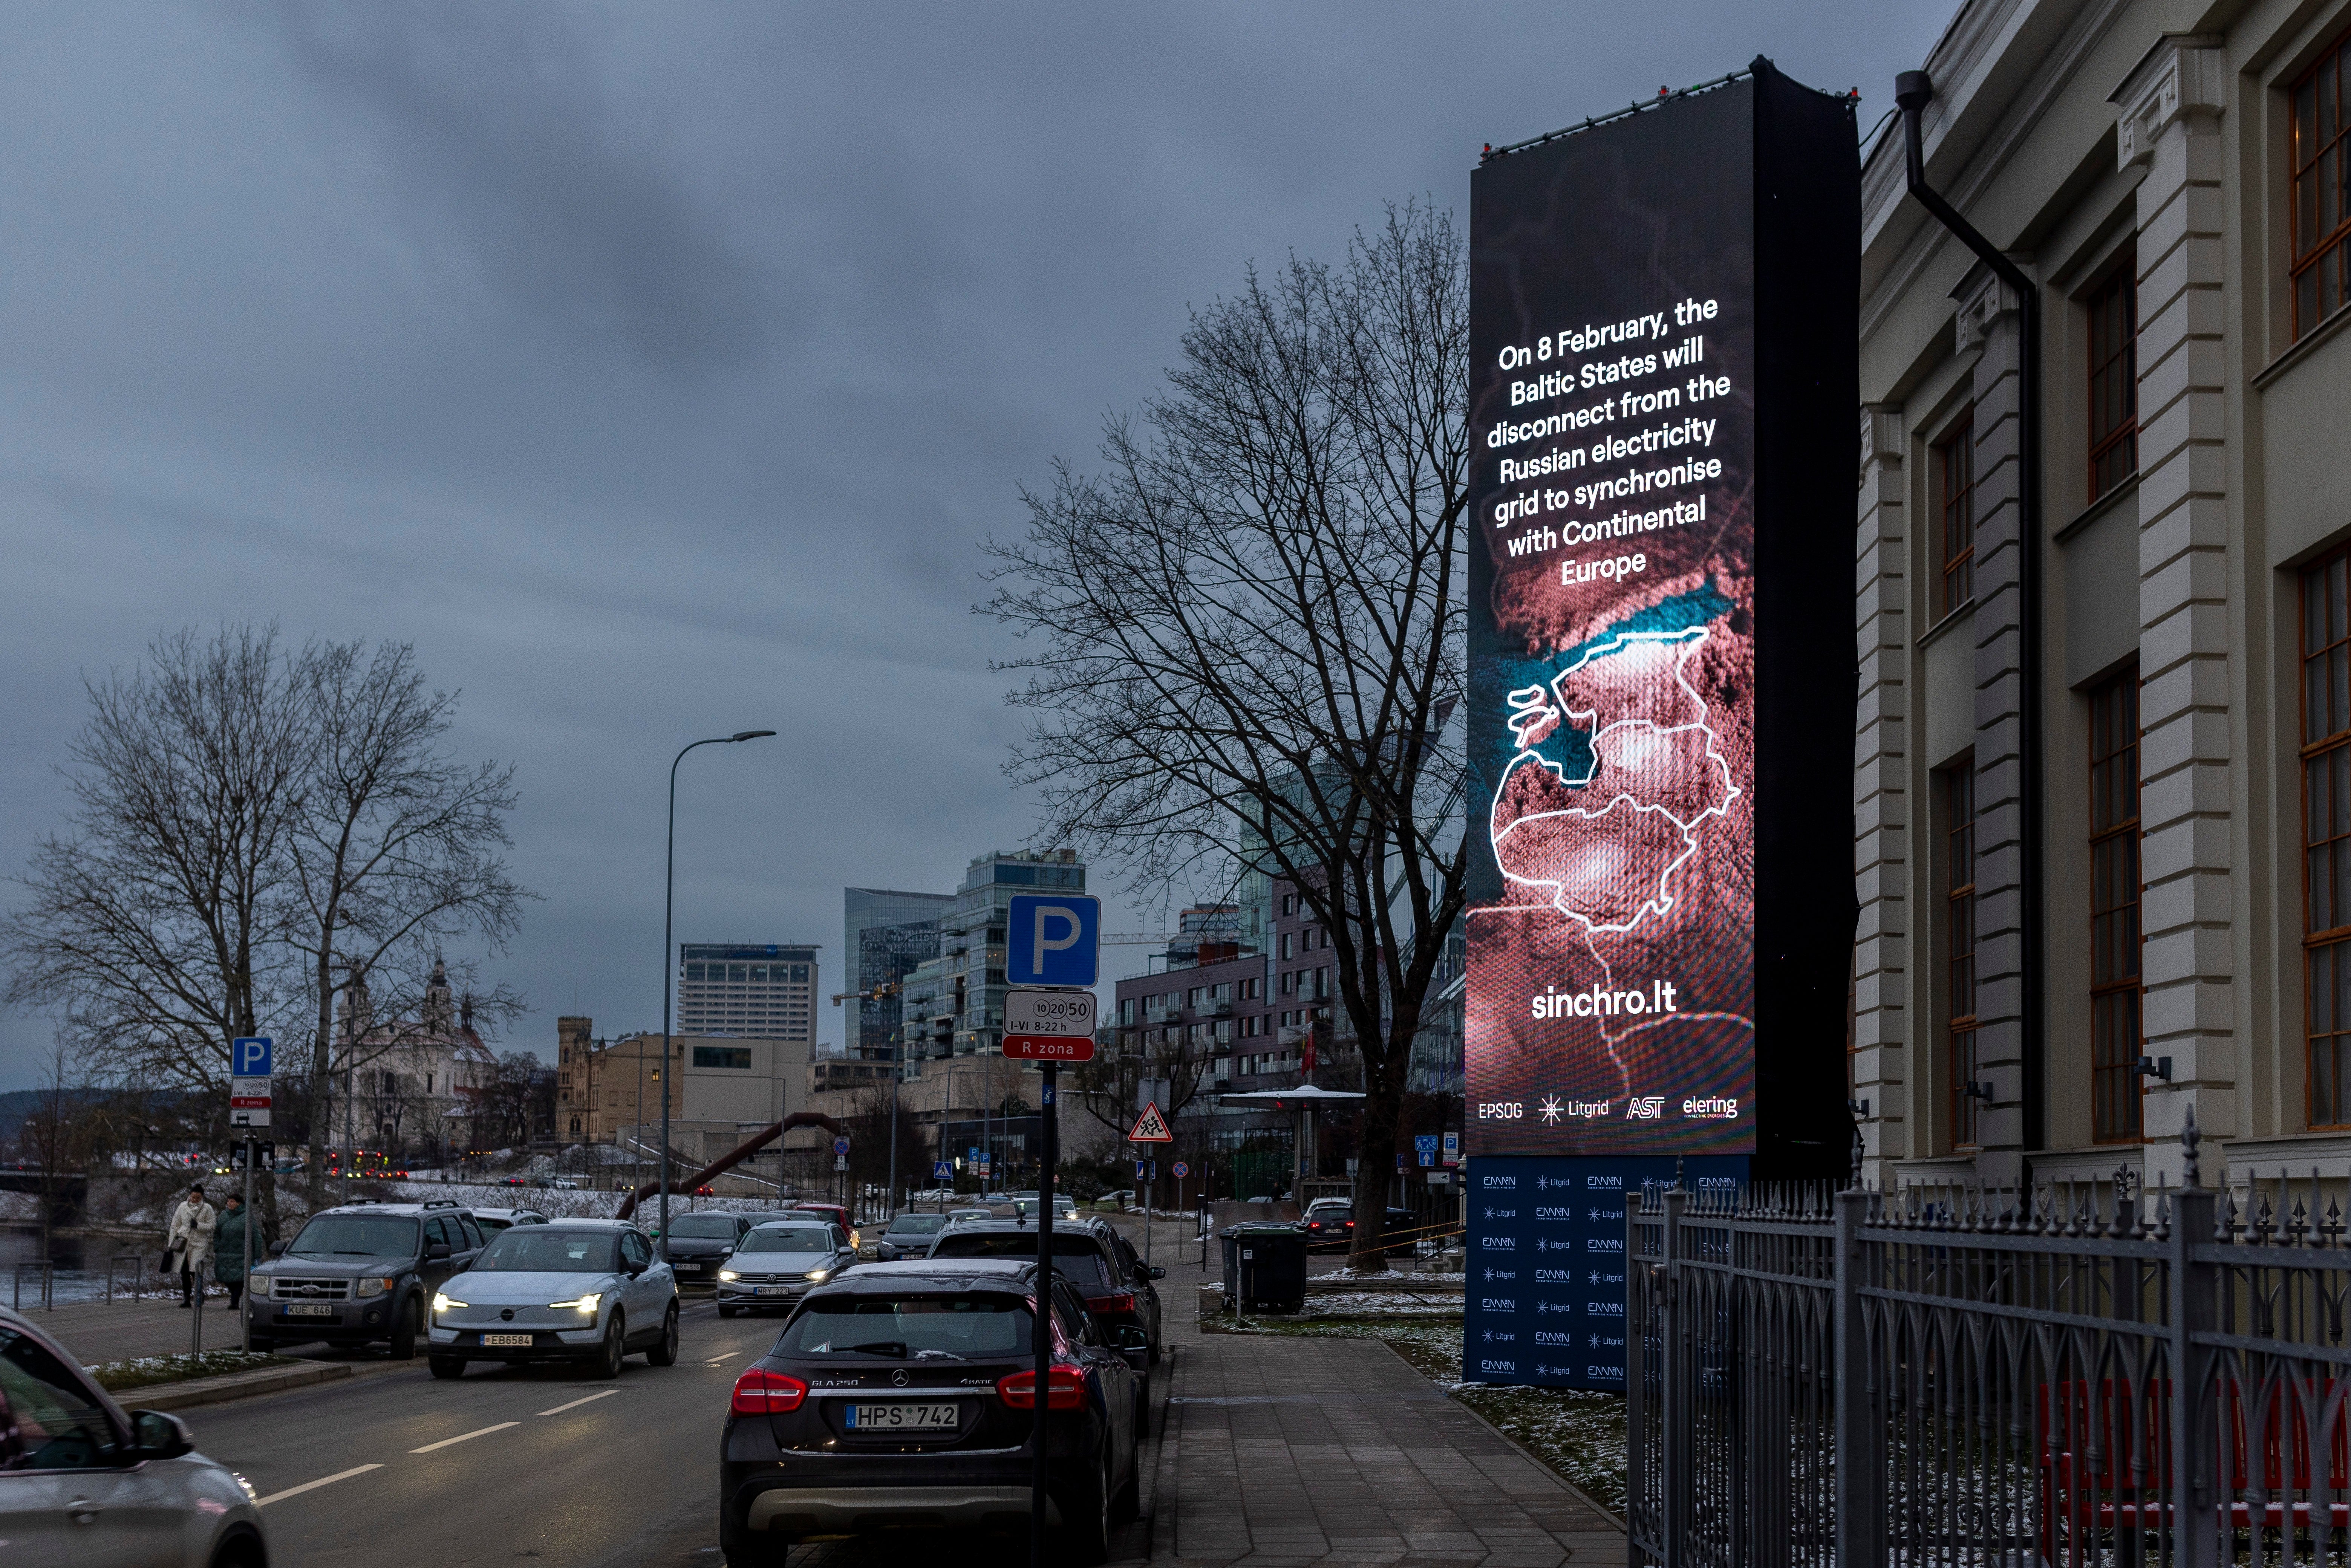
{"x": 563, "y": 1292}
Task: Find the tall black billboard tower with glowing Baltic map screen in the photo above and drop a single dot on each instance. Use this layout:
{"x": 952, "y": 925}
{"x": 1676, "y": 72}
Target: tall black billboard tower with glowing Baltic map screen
{"x": 1661, "y": 666}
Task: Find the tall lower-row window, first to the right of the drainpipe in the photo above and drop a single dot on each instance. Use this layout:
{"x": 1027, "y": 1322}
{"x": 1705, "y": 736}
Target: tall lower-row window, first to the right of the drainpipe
{"x": 2115, "y": 911}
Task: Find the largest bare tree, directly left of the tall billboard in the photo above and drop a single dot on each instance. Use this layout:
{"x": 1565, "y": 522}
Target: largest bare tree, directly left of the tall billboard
{"x": 1252, "y": 634}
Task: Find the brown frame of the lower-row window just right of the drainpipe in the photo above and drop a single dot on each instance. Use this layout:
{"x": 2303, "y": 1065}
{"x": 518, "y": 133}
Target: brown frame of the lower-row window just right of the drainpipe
{"x": 2115, "y": 737}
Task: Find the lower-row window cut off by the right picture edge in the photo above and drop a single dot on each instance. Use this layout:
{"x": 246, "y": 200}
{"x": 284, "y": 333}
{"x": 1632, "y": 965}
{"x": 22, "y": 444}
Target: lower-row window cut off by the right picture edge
{"x": 2326, "y": 833}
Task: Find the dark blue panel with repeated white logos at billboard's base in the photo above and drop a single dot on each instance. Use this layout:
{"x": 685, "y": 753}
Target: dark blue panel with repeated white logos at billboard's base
{"x": 1546, "y": 1292}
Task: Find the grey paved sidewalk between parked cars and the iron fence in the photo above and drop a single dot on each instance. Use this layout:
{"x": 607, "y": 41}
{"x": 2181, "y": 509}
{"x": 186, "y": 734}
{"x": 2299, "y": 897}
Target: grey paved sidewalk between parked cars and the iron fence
{"x": 1287, "y": 1452}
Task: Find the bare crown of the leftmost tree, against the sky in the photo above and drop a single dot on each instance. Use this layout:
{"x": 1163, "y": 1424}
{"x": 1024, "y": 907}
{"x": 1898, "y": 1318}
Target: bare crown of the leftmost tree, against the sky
{"x": 154, "y": 923}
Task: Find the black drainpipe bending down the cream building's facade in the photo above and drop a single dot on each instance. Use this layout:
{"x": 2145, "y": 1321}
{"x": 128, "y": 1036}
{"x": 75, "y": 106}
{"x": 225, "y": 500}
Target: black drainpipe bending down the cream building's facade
{"x": 1913, "y": 95}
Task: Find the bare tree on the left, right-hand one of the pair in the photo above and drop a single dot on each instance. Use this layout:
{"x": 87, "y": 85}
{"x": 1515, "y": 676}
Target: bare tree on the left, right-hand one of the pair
{"x": 394, "y": 855}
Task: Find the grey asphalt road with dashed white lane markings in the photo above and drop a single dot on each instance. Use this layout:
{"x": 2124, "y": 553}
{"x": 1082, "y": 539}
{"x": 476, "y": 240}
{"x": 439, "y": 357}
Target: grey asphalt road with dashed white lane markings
{"x": 525, "y": 1463}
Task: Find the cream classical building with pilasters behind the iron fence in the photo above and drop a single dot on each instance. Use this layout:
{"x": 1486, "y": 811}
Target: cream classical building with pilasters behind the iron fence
{"x": 2101, "y": 800}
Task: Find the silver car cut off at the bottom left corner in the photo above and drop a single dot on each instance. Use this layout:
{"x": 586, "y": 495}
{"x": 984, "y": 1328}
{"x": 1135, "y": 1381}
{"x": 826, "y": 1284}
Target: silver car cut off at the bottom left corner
{"x": 83, "y": 1482}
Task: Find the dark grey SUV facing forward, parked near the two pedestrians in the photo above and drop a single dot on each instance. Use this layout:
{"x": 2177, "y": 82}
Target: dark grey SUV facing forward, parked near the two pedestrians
{"x": 361, "y": 1275}
